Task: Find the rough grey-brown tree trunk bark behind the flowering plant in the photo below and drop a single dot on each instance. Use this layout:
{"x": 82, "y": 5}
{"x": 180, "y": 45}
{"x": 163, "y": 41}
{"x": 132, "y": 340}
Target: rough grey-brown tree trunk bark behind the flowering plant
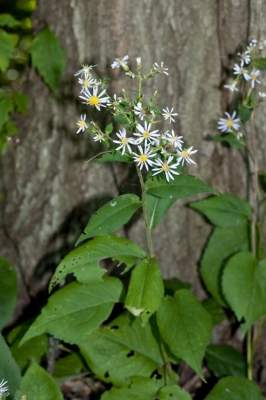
{"x": 45, "y": 181}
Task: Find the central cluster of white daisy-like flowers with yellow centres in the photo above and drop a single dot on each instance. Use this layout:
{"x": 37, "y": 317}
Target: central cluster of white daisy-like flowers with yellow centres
{"x": 160, "y": 151}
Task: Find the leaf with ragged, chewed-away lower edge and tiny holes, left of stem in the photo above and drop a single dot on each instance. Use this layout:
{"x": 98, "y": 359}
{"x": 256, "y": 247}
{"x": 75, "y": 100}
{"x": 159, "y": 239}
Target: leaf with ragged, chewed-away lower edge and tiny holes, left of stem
{"x": 83, "y": 261}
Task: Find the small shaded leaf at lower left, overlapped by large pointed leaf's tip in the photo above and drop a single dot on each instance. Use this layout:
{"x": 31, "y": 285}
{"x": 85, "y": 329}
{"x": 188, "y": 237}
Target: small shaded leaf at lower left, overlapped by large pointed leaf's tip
{"x": 34, "y": 349}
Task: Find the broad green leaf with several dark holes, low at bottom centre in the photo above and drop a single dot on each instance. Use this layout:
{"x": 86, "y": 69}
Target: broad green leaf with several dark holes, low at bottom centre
{"x": 123, "y": 349}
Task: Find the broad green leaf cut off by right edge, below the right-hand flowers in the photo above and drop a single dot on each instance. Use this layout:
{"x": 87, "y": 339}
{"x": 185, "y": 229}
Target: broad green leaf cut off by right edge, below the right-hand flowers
{"x": 248, "y": 299}
